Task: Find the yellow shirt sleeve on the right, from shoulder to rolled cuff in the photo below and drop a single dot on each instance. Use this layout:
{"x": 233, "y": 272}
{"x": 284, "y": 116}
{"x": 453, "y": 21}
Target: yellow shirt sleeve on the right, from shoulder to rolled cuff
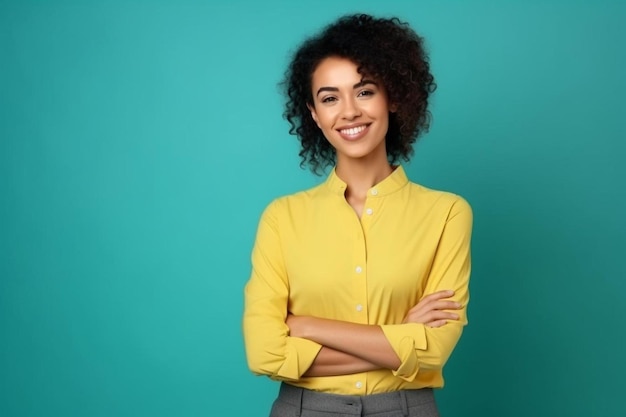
{"x": 422, "y": 347}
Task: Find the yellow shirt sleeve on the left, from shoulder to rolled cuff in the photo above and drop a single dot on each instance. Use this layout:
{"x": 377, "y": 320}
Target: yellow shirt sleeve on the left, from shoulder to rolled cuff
{"x": 269, "y": 348}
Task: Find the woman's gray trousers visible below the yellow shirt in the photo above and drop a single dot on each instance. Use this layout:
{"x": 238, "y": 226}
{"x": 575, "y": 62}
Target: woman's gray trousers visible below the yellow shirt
{"x": 298, "y": 402}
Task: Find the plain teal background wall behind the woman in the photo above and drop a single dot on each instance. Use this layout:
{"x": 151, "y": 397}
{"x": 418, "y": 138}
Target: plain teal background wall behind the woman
{"x": 140, "y": 140}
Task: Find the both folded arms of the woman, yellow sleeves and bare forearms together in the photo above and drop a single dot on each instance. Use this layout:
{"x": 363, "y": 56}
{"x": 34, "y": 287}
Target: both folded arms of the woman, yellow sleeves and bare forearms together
{"x": 289, "y": 347}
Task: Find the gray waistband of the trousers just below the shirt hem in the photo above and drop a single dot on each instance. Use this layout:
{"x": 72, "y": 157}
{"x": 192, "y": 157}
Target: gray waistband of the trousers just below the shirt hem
{"x": 355, "y": 404}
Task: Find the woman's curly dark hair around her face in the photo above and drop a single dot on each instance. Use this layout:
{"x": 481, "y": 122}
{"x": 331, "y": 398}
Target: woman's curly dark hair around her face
{"x": 384, "y": 48}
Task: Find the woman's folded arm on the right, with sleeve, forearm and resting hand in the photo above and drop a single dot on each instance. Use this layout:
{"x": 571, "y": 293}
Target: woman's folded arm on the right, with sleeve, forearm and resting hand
{"x": 430, "y": 330}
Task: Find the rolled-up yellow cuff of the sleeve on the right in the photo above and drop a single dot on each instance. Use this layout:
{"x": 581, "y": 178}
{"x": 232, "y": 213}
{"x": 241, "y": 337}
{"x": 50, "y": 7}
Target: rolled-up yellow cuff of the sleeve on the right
{"x": 405, "y": 339}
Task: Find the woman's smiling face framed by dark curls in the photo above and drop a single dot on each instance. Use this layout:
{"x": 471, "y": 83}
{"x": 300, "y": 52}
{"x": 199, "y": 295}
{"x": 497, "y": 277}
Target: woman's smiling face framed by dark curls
{"x": 351, "y": 110}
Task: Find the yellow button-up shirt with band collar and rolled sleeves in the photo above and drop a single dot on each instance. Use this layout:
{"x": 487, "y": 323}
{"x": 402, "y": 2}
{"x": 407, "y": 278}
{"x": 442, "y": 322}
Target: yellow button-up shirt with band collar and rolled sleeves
{"x": 313, "y": 256}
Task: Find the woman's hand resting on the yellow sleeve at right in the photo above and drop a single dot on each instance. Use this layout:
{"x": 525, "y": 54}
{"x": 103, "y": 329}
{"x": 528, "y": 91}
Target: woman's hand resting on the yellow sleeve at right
{"x": 431, "y": 310}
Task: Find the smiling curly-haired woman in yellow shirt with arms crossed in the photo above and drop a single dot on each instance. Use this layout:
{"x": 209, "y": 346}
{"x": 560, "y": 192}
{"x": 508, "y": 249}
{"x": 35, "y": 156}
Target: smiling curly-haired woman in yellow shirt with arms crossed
{"x": 359, "y": 286}
